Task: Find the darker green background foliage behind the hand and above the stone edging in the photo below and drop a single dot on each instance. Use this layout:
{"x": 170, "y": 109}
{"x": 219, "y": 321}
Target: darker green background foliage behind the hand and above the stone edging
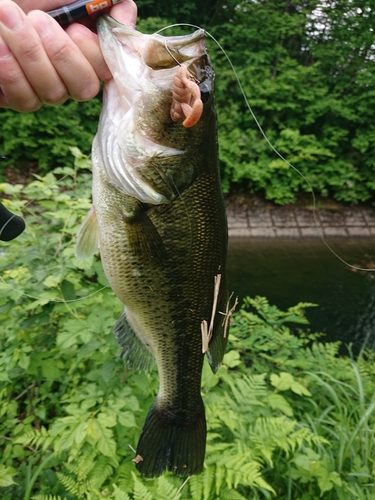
{"x": 308, "y": 72}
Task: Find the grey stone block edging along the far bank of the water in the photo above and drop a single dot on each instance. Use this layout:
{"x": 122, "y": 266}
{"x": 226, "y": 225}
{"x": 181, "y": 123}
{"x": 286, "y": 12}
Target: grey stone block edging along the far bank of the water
{"x": 268, "y": 222}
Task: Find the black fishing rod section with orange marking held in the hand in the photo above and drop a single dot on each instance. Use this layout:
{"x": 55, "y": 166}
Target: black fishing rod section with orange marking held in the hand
{"x": 72, "y": 12}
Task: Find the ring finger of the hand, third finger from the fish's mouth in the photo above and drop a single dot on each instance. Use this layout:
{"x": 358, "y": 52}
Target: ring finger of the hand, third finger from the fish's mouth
{"x": 25, "y": 44}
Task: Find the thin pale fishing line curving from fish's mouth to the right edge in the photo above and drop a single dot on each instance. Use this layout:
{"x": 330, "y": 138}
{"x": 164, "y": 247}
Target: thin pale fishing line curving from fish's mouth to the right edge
{"x": 318, "y": 224}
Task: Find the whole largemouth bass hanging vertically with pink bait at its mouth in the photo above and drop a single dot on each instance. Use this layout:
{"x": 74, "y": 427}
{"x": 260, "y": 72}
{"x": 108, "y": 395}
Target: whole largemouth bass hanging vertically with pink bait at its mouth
{"x": 159, "y": 220}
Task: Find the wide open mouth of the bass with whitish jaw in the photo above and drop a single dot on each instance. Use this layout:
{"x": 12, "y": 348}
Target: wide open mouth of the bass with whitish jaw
{"x": 134, "y": 58}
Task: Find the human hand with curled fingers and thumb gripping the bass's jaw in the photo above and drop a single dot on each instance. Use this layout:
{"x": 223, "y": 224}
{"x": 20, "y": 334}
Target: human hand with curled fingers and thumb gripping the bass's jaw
{"x": 41, "y": 63}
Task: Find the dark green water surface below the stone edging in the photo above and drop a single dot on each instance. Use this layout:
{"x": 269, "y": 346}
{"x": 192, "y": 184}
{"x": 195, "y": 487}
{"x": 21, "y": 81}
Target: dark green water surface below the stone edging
{"x": 288, "y": 271}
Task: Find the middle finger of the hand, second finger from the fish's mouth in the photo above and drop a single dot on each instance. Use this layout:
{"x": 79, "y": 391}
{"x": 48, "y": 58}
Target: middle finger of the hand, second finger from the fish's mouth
{"x": 71, "y": 65}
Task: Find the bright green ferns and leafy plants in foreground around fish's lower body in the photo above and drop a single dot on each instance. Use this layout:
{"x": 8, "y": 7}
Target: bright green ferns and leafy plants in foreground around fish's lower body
{"x": 287, "y": 416}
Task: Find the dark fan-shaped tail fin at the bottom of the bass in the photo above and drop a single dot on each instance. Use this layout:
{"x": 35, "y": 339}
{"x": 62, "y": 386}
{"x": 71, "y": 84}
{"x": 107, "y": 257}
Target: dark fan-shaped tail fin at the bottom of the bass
{"x": 171, "y": 443}
